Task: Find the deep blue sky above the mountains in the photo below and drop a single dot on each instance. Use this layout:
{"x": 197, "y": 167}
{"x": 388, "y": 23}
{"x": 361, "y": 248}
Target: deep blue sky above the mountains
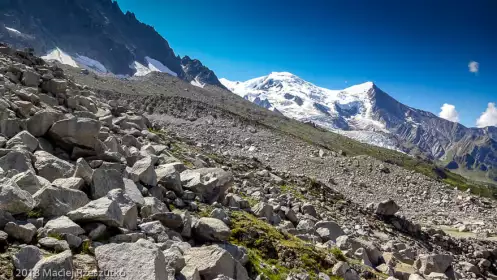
{"x": 416, "y": 50}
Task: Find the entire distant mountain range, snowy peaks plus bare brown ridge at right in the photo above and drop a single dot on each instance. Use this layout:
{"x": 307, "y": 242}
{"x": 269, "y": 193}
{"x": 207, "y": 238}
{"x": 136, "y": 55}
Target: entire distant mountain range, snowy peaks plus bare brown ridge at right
{"x": 368, "y": 114}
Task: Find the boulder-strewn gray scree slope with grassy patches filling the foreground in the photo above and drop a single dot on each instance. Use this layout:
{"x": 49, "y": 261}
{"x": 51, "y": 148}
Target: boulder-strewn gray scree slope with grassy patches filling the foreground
{"x": 187, "y": 191}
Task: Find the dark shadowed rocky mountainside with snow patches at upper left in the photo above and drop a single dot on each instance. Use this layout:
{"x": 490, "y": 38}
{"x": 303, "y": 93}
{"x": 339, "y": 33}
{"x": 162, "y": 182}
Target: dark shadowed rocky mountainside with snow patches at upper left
{"x": 95, "y": 35}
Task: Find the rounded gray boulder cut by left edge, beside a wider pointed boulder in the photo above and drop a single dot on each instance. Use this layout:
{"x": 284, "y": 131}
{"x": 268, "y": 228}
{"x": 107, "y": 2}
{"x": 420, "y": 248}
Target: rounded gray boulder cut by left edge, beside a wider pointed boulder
{"x": 13, "y": 199}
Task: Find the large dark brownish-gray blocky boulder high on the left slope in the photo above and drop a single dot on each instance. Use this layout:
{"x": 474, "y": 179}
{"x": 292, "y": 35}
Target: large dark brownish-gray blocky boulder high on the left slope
{"x": 69, "y": 132}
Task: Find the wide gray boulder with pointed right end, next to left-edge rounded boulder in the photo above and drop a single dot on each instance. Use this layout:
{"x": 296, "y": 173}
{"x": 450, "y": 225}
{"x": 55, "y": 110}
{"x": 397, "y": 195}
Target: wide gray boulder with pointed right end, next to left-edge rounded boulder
{"x": 54, "y": 201}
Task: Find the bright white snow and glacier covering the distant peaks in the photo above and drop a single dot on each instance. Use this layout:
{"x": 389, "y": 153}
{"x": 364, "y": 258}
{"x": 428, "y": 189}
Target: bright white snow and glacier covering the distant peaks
{"x": 347, "y": 111}
